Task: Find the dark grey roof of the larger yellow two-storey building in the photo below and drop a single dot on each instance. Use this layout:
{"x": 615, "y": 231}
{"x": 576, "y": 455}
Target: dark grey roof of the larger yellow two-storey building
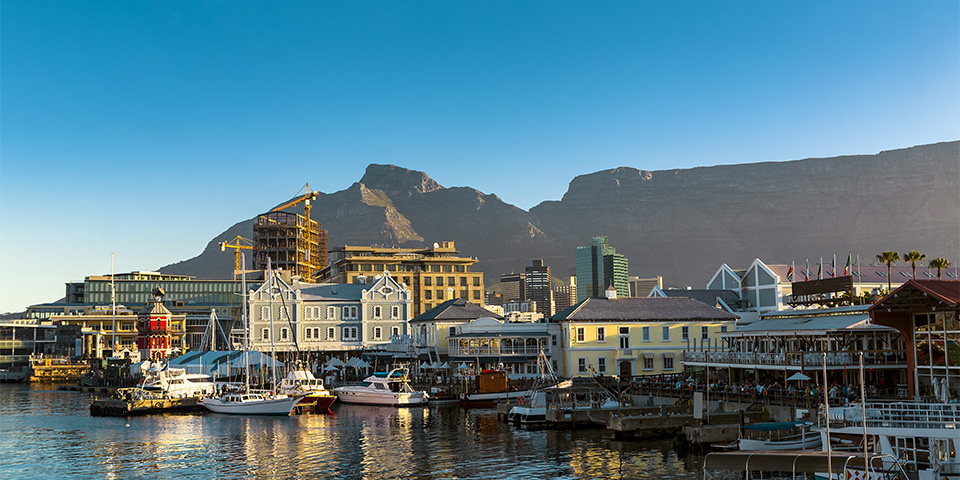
{"x": 643, "y": 309}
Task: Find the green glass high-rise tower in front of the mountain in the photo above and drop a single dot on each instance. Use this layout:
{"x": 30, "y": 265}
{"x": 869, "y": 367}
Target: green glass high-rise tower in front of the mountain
{"x": 600, "y": 266}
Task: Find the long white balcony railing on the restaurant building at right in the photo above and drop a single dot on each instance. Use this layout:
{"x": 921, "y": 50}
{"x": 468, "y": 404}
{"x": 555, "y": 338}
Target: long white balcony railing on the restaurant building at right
{"x": 811, "y": 359}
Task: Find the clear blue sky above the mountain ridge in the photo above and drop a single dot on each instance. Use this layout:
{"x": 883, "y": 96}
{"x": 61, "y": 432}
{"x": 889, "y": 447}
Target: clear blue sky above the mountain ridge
{"x": 120, "y": 120}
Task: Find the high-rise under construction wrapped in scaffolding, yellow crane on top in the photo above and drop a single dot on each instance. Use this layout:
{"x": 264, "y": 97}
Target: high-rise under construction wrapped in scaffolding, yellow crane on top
{"x": 293, "y": 242}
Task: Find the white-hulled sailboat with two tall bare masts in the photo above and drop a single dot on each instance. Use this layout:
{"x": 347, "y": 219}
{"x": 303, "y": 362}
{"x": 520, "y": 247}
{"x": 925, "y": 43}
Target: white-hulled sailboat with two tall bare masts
{"x": 247, "y": 401}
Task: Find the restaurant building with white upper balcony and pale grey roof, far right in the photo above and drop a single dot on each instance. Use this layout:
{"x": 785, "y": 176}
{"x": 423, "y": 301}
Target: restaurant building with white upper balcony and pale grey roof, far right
{"x": 783, "y": 343}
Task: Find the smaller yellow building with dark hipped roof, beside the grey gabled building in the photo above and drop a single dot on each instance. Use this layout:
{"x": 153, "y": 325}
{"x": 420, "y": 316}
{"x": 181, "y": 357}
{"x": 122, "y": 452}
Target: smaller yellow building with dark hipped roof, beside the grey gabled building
{"x": 432, "y": 328}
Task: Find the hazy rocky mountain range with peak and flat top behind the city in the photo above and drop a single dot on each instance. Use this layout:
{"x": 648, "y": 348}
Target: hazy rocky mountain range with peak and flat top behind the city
{"x": 681, "y": 224}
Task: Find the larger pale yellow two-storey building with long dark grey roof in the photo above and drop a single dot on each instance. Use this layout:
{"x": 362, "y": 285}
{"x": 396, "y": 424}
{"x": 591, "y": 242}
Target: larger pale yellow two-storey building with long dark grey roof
{"x": 635, "y": 336}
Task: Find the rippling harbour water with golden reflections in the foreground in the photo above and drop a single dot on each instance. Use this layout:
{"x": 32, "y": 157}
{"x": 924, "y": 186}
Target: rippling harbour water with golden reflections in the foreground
{"x": 45, "y": 433}
